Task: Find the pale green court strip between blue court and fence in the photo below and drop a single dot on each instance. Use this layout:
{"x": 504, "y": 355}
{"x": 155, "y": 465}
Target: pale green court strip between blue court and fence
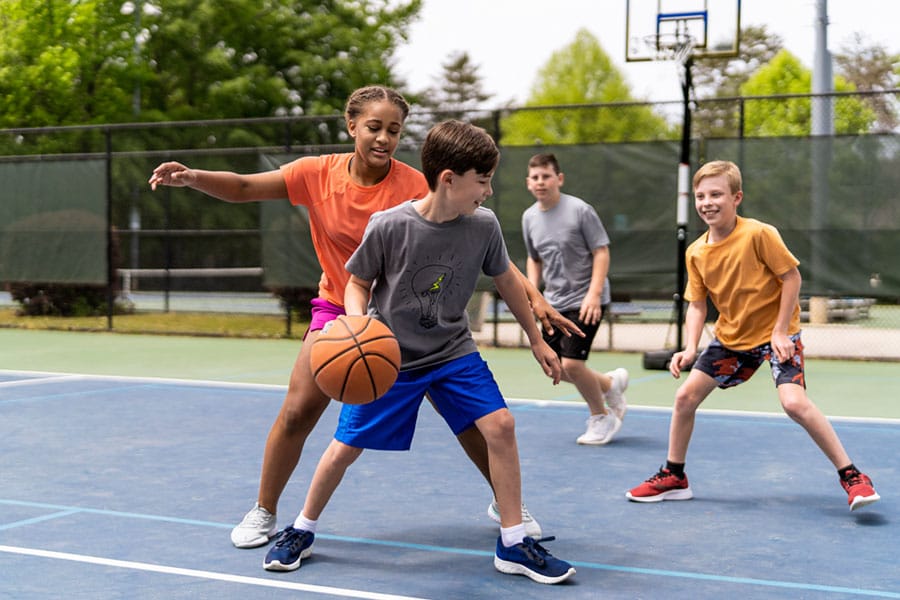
{"x": 839, "y": 388}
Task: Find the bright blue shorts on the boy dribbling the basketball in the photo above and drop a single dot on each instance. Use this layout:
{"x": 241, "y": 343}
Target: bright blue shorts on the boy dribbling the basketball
{"x": 463, "y": 390}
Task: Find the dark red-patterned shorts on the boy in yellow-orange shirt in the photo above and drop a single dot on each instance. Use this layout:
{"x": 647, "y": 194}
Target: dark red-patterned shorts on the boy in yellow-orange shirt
{"x": 731, "y": 367}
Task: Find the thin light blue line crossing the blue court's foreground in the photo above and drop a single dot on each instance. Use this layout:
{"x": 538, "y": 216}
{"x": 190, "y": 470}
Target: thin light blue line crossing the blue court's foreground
{"x": 802, "y": 586}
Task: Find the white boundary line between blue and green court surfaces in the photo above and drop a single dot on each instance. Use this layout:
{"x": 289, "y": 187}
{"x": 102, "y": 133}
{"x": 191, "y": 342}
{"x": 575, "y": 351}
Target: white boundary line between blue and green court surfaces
{"x": 535, "y": 402}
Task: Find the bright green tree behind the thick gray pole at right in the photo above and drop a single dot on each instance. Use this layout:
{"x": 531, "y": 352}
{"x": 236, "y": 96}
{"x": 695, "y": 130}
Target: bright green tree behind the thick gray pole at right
{"x": 784, "y": 74}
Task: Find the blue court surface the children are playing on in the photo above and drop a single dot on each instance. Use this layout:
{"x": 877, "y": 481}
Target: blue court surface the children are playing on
{"x": 128, "y": 488}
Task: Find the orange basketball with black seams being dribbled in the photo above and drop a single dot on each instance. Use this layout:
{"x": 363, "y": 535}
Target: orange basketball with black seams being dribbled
{"x": 357, "y": 360}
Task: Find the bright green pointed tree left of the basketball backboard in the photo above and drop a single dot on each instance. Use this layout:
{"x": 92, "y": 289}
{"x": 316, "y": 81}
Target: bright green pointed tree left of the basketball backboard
{"x": 581, "y": 74}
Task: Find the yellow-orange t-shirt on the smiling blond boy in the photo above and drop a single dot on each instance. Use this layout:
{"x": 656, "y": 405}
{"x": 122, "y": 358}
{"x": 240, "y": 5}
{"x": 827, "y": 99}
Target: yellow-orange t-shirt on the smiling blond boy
{"x": 741, "y": 275}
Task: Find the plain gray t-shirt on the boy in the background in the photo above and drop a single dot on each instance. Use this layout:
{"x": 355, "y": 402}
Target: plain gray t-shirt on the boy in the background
{"x": 564, "y": 239}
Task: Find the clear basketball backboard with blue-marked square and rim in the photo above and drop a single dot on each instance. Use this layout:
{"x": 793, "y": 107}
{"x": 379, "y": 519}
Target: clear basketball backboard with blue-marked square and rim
{"x": 660, "y": 29}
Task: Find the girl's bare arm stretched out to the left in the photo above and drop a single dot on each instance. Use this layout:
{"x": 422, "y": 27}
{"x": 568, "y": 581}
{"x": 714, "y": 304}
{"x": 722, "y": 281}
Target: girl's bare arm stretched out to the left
{"x": 224, "y": 185}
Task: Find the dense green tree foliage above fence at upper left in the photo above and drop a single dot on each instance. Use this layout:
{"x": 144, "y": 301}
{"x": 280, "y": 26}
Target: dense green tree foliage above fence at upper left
{"x": 80, "y": 62}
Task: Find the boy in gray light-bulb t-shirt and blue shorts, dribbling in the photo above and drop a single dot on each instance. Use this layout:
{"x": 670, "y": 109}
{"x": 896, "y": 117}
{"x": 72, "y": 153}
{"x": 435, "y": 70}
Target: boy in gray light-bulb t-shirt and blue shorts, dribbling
{"x": 415, "y": 270}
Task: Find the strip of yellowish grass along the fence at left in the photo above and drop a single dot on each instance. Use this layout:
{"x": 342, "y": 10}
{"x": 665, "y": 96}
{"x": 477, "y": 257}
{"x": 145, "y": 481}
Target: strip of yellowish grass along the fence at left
{"x": 171, "y": 323}
